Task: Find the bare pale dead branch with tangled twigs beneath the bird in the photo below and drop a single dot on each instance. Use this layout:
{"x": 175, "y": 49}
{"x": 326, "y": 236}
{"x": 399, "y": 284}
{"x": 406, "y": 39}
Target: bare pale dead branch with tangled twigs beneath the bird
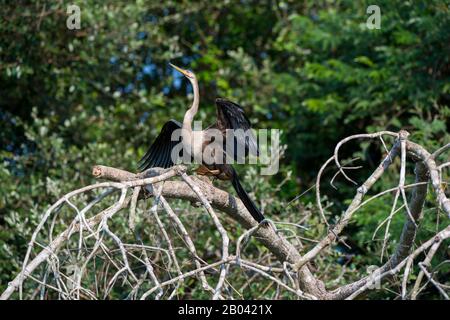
{"x": 150, "y": 270}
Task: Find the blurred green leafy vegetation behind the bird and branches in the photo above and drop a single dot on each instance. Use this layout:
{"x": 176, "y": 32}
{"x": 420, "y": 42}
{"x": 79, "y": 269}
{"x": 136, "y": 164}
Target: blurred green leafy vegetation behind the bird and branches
{"x": 70, "y": 99}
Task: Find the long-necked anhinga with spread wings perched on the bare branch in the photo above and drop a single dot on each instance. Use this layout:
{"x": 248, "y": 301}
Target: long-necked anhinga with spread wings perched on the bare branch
{"x": 229, "y": 116}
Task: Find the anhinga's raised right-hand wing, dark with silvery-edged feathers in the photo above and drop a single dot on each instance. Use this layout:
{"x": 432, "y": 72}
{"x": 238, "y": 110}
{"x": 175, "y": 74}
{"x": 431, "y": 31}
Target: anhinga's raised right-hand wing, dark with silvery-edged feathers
{"x": 231, "y": 116}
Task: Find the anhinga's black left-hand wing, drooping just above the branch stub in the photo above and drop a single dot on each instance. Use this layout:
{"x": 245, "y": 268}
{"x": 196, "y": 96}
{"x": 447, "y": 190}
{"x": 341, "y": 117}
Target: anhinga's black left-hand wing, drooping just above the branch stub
{"x": 159, "y": 153}
